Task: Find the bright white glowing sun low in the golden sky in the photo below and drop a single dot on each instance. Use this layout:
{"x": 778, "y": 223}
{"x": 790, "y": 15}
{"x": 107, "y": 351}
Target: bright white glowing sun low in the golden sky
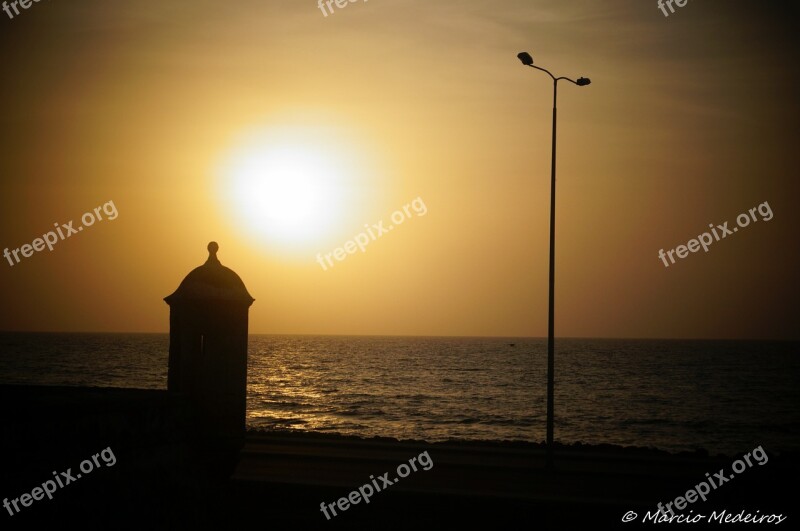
{"x": 289, "y": 187}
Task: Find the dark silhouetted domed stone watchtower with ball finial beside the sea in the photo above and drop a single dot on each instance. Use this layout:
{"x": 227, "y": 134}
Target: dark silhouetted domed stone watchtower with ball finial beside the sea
{"x": 208, "y": 346}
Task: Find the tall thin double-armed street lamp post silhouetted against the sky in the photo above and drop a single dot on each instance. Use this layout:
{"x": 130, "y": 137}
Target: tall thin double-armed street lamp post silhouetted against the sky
{"x": 527, "y": 60}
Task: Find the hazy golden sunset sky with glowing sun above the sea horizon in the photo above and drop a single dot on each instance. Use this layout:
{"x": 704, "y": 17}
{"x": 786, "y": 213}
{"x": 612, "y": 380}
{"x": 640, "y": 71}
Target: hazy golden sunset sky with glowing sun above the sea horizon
{"x": 283, "y": 133}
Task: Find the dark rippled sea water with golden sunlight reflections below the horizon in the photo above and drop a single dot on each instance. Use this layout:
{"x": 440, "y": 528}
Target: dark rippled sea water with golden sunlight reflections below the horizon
{"x": 724, "y": 396}
